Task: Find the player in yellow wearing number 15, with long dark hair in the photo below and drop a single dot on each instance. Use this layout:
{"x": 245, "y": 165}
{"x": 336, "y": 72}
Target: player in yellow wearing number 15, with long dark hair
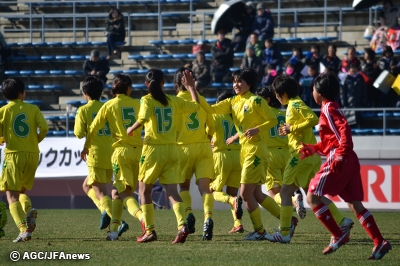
{"x": 159, "y": 114}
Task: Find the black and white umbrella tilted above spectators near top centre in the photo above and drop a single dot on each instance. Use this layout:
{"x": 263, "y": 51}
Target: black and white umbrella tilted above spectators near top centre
{"x": 228, "y": 15}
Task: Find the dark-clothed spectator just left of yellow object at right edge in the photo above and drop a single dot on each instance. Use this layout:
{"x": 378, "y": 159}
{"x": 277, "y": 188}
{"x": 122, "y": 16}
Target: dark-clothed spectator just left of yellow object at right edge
{"x": 370, "y": 72}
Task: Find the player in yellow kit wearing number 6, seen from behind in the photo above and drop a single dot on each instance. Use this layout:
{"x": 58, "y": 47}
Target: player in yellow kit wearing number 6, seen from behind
{"x": 23, "y": 127}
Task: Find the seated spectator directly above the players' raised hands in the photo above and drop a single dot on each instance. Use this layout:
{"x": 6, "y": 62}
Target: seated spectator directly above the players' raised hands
{"x": 202, "y": 71}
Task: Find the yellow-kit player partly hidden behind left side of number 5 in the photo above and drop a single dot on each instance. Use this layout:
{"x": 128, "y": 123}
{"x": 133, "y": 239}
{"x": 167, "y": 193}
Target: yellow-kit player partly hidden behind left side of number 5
{"x": 100, "y": 169}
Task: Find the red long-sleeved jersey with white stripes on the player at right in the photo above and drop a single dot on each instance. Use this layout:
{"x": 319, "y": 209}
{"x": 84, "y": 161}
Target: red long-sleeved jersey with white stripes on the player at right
{"x": 334, "y": 131}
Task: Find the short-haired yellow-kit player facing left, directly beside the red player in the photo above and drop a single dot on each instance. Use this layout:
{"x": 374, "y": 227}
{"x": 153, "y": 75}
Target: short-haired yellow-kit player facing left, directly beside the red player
{"x": 300, "y": 120}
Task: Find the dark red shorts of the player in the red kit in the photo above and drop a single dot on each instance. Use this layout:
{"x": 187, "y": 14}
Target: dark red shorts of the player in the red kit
{"x": 347, "y": 184}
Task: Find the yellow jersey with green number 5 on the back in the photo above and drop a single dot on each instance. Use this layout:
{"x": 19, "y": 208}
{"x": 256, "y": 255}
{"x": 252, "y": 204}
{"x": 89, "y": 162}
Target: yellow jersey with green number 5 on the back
{"x": 120, "y": 113}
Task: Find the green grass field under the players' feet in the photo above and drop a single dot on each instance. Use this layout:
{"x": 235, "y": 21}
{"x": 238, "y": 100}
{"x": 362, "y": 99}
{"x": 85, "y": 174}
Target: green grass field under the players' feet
{"x": 76, "y": 231}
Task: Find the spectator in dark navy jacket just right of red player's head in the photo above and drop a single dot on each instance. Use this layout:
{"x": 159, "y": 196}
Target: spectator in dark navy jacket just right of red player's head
{"x": 353, "y": 95}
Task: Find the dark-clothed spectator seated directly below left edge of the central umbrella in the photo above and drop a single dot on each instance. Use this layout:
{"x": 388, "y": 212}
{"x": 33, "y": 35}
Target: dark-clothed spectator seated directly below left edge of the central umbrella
{"x": 222, "y": 53}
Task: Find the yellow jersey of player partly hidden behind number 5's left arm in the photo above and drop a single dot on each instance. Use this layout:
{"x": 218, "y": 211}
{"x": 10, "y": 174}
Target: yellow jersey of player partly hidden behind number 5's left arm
{"x": 102, "y": 141}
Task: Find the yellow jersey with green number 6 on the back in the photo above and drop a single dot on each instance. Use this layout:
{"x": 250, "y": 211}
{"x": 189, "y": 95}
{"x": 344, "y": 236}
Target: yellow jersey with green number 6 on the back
{"x": 19, "y": 124}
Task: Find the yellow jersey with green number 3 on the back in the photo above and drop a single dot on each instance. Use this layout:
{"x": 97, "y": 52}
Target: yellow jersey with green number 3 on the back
{"x": 192, "y": 126}
